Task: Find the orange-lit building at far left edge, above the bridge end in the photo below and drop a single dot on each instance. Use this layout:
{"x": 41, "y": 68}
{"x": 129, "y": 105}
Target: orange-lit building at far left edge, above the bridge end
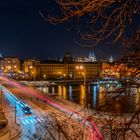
{"x": 11, "y": 66}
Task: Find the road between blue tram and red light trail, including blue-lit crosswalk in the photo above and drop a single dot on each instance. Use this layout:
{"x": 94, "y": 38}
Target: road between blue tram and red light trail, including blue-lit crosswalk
{"x": 42, "y": 124}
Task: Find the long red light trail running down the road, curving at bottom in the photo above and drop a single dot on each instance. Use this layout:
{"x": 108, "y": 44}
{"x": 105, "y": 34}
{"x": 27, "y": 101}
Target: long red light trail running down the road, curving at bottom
{"x": 94, "y": 133}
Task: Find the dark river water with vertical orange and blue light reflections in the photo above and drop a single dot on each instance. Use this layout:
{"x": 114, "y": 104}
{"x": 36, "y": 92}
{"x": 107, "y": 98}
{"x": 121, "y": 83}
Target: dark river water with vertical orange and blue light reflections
{"x": 98, "y": 97}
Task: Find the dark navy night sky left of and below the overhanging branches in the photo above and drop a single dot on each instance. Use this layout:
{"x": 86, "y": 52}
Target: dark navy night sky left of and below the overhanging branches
{"x": 25, "y": 34}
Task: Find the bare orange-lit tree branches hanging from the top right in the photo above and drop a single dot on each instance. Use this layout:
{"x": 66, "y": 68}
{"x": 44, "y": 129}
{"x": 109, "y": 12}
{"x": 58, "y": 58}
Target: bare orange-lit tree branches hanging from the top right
{"x": 98, "y": 20}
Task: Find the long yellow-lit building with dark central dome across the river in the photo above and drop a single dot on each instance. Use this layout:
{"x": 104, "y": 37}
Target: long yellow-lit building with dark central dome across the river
{"x": 67, "y": 69}
